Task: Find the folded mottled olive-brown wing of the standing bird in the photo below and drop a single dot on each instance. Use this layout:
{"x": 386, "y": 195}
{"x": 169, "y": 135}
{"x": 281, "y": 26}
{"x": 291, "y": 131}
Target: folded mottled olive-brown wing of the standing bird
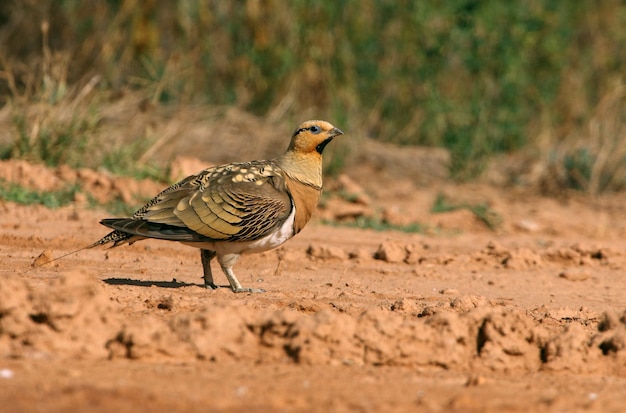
{"x": 236, "y": 202}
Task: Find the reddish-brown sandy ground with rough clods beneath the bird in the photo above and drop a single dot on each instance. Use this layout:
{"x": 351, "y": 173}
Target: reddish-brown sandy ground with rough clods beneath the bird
{"x": 530, "y": 317}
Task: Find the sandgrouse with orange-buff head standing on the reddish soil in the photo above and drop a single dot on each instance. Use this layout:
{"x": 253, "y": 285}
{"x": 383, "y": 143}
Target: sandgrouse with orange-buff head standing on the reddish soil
{"x": 236, "y": 208}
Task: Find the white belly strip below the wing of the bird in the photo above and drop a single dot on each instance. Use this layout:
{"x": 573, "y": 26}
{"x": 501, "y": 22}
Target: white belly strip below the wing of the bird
{"x": 266, "y": 243}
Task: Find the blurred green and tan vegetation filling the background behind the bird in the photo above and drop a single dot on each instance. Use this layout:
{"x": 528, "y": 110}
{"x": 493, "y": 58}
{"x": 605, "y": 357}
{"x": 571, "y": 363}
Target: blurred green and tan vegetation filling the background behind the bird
{"x": 476, "y": 77}
